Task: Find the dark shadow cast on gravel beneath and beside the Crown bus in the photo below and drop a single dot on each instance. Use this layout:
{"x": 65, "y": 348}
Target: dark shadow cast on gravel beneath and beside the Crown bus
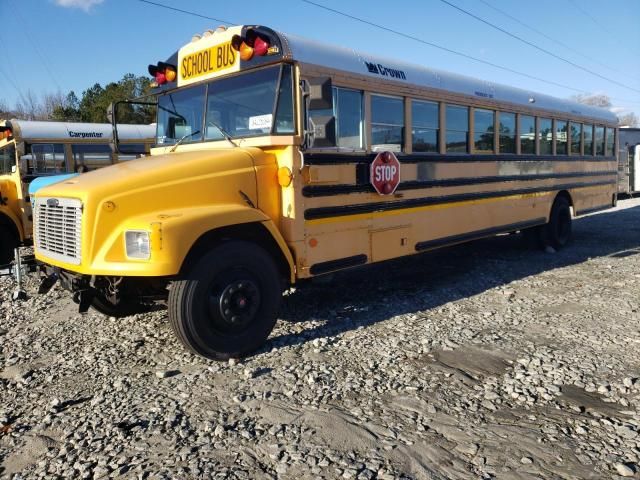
{"x": 368, "y": 295}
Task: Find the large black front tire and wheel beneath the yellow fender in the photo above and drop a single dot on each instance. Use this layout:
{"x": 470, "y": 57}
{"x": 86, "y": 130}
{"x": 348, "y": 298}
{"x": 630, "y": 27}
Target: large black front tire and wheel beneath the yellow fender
{"x": 227, "y": 305}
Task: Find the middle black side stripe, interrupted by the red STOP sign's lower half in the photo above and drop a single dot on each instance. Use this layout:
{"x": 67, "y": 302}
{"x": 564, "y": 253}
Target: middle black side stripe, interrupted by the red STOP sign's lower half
{"x": 330, "y": 190}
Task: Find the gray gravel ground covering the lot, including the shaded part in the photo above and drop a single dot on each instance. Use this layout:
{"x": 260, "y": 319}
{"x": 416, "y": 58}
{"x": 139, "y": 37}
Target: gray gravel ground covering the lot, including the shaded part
{"x": 486, "y": 360}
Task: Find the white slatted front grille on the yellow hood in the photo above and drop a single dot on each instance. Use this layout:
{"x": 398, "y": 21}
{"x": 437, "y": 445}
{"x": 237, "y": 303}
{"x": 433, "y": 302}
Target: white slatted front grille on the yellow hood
{"x": 57, "y": 228}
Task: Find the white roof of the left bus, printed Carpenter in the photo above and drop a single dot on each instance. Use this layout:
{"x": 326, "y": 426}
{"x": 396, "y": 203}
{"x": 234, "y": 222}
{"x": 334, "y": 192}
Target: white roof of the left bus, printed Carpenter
{"x": 29, "y": 129}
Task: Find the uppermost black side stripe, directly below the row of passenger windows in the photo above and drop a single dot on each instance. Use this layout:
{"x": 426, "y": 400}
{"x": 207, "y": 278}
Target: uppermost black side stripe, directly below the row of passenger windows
{"x": 348, "y": 158}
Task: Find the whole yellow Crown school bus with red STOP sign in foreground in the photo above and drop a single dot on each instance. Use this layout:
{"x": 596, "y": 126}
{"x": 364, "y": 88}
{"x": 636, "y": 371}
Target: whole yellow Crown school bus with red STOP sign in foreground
{"x": 280, "y": 159}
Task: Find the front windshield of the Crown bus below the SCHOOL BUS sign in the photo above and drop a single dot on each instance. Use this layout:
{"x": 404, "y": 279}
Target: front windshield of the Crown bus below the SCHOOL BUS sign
{"x": 241, "y": 106}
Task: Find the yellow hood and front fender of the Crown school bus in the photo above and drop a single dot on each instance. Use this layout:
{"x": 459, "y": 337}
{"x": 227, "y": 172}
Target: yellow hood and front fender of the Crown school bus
{"x": 179, "y": 197}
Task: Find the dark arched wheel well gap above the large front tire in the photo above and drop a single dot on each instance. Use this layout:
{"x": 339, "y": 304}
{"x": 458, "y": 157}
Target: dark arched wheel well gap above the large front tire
{"x": 253, "y": 232}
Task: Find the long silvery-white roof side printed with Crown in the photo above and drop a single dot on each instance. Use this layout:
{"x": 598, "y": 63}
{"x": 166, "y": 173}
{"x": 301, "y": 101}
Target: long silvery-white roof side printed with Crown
{"x": 315, "y": 53}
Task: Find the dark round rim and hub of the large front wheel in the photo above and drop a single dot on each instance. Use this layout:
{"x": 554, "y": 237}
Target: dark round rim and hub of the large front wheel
{"x": 234, "y": 303}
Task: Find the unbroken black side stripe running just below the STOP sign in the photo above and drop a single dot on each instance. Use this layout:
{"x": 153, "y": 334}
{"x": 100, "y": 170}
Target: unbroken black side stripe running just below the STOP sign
{"x": 343, "y": 210}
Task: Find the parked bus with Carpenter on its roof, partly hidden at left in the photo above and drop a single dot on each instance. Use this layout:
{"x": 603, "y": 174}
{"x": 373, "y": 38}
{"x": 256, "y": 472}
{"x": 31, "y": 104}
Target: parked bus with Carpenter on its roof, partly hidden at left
{"x": 33, "y": 149}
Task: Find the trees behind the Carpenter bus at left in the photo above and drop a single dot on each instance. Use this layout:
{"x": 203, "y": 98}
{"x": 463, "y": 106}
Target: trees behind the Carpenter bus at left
{"x": 90, "y": 107}
